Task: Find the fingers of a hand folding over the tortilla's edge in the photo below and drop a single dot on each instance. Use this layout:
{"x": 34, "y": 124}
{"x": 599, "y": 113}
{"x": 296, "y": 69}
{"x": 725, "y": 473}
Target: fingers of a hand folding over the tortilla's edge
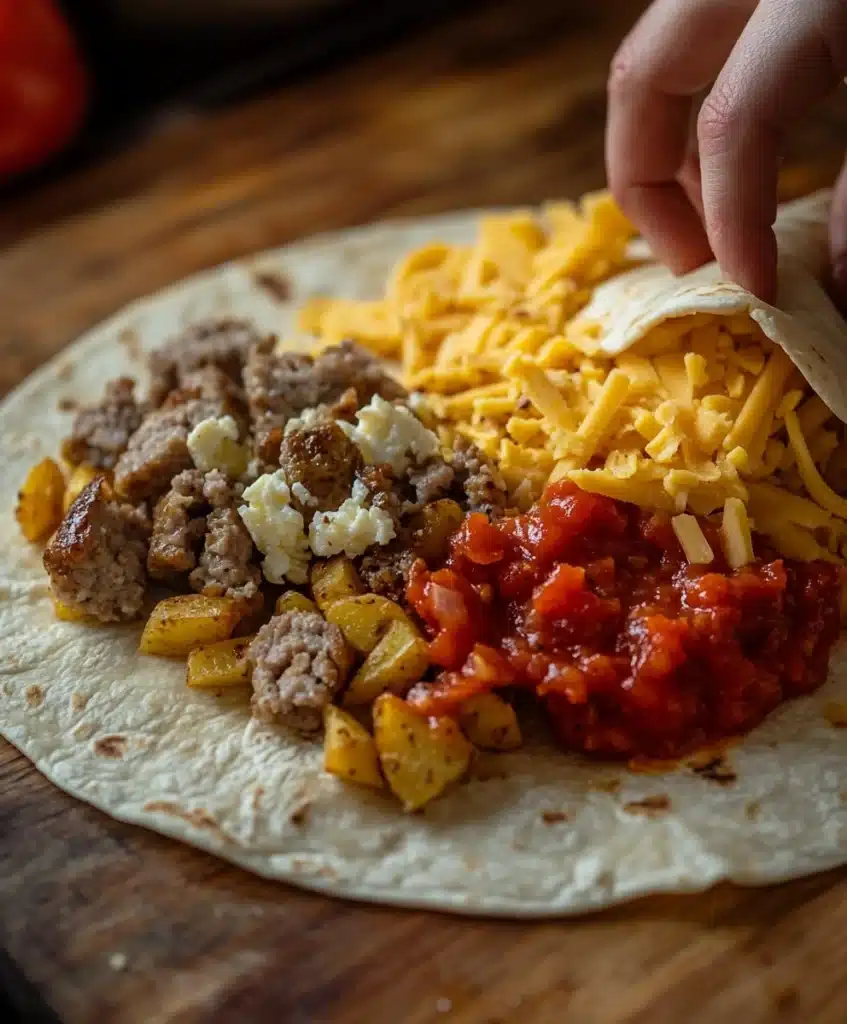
{"x": 703, "y": 184}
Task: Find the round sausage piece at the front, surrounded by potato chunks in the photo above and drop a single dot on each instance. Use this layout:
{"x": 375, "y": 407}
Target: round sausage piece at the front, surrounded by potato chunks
{"x": 300, "y": 662}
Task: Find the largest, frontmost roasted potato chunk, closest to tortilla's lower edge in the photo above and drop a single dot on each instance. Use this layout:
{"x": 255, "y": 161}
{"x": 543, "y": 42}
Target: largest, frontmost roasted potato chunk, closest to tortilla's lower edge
{"x": 420, "y": 757}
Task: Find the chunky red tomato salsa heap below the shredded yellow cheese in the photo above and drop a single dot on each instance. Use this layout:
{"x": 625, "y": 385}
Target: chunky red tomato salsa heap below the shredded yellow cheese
{"x": 591, "y": 605}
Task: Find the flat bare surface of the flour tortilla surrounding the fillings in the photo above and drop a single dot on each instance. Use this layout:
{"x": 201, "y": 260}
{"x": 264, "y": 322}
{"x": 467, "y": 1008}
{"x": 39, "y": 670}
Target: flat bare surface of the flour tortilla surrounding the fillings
{"x": 545, "y": 834}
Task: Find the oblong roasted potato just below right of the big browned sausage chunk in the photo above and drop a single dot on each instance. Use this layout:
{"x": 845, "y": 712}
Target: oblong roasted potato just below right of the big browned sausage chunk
{"x": 178, "y": 625}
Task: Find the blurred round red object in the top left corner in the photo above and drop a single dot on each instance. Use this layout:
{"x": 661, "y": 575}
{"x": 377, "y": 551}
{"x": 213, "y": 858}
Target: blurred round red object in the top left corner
{"x": 44, "y": 84}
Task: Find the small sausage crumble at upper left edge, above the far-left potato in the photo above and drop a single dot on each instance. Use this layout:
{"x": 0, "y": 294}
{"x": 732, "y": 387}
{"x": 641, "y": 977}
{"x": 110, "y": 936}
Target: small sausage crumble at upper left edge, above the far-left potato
{"x": 101, "y": 433}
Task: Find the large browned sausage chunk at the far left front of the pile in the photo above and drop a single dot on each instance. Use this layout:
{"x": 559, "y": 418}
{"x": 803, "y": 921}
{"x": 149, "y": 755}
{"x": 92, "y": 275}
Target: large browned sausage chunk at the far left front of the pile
{"x": 96, "y": 561}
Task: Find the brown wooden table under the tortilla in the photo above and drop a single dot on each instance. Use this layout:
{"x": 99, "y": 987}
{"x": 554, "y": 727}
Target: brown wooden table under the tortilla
{"x": 104, "y": 923}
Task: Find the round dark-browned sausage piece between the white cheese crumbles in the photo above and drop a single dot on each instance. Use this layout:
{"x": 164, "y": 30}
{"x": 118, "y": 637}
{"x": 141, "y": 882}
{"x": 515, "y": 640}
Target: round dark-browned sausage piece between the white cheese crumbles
{"x": 325, "y": 461}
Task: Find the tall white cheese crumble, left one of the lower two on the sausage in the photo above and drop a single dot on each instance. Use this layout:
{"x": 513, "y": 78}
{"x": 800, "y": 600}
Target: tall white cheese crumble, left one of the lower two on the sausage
{"x": 277, "y": 529}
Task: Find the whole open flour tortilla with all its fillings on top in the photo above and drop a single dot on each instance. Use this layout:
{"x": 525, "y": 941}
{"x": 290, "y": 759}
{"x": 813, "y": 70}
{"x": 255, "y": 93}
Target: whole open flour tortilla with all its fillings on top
{"x": 567, "y": 504}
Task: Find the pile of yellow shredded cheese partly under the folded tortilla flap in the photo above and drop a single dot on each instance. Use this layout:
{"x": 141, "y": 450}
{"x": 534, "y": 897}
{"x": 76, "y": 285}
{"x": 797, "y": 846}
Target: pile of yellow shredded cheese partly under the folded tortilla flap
{"x": 703, "y": 414}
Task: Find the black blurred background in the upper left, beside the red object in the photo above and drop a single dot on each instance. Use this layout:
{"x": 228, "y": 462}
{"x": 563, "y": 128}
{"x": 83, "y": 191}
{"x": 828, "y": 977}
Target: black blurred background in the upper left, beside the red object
{"x": 151, "y": 60}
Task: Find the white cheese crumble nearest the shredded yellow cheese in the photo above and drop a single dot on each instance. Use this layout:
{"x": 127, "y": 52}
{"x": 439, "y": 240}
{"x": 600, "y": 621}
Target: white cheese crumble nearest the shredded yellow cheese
{"x": 389, "y": 434}
